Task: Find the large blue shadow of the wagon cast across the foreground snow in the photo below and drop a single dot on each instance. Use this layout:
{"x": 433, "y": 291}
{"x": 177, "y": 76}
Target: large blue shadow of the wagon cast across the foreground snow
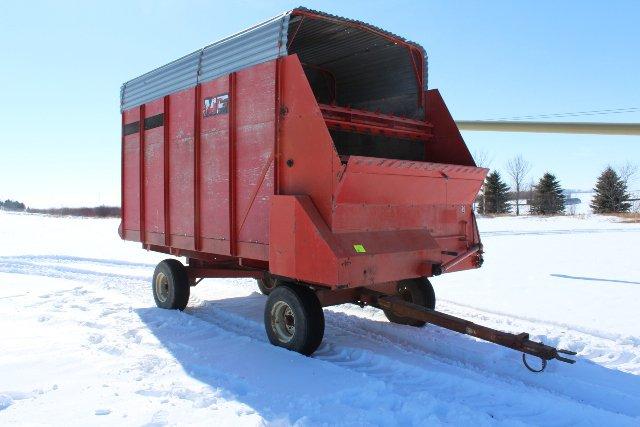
{"x": 369, "y": 371}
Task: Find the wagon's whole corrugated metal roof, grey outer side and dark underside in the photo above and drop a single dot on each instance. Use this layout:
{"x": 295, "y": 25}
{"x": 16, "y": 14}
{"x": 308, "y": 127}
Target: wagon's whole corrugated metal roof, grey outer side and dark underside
{"x": 371, "y": 65}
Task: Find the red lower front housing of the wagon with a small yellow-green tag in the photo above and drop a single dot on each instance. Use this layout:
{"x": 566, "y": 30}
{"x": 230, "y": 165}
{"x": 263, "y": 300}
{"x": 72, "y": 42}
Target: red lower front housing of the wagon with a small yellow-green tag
{"x": 303, "y": 247}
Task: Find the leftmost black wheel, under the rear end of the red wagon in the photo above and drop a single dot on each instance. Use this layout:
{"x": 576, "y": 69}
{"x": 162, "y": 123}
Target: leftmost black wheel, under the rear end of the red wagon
{"x": 177, "y": 285}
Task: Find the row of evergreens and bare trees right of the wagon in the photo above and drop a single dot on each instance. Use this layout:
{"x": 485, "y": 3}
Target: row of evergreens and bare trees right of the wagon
{"x": 546, "y": 197}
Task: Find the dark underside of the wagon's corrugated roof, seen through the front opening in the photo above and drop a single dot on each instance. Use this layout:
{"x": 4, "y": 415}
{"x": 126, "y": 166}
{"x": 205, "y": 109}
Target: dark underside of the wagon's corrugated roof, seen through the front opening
{"x": 373, "y": 68}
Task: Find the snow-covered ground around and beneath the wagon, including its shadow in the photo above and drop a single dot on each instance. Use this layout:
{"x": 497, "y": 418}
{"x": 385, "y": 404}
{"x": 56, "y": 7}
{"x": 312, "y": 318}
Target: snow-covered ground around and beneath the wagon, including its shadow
{"x": 83, "y": 344}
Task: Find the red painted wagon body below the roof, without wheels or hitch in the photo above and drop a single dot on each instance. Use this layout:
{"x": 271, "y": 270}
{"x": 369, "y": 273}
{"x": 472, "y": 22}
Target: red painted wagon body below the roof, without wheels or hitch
{"x": 261, "y": 183}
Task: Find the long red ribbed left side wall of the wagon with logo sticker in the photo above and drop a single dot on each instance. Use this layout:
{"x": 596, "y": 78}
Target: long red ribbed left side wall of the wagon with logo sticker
{"x": 195, "y": 171}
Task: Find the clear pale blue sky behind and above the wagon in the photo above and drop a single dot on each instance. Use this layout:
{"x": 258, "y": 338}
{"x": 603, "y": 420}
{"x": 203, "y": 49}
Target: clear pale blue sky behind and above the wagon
{"x": 63, "y": 64}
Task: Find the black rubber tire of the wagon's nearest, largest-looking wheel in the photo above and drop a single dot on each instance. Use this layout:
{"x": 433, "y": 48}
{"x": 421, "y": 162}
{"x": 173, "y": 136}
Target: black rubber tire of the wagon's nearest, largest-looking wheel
{"x": 307, "y": 312}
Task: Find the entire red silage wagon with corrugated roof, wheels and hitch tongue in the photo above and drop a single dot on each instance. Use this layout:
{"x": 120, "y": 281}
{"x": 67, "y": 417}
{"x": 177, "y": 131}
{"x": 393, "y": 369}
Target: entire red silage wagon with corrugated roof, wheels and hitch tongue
{"x": 305, "y": 152}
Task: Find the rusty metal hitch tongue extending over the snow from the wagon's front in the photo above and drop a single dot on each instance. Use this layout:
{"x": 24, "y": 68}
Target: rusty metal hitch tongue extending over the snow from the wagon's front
{"x": 519, "y": 342}
